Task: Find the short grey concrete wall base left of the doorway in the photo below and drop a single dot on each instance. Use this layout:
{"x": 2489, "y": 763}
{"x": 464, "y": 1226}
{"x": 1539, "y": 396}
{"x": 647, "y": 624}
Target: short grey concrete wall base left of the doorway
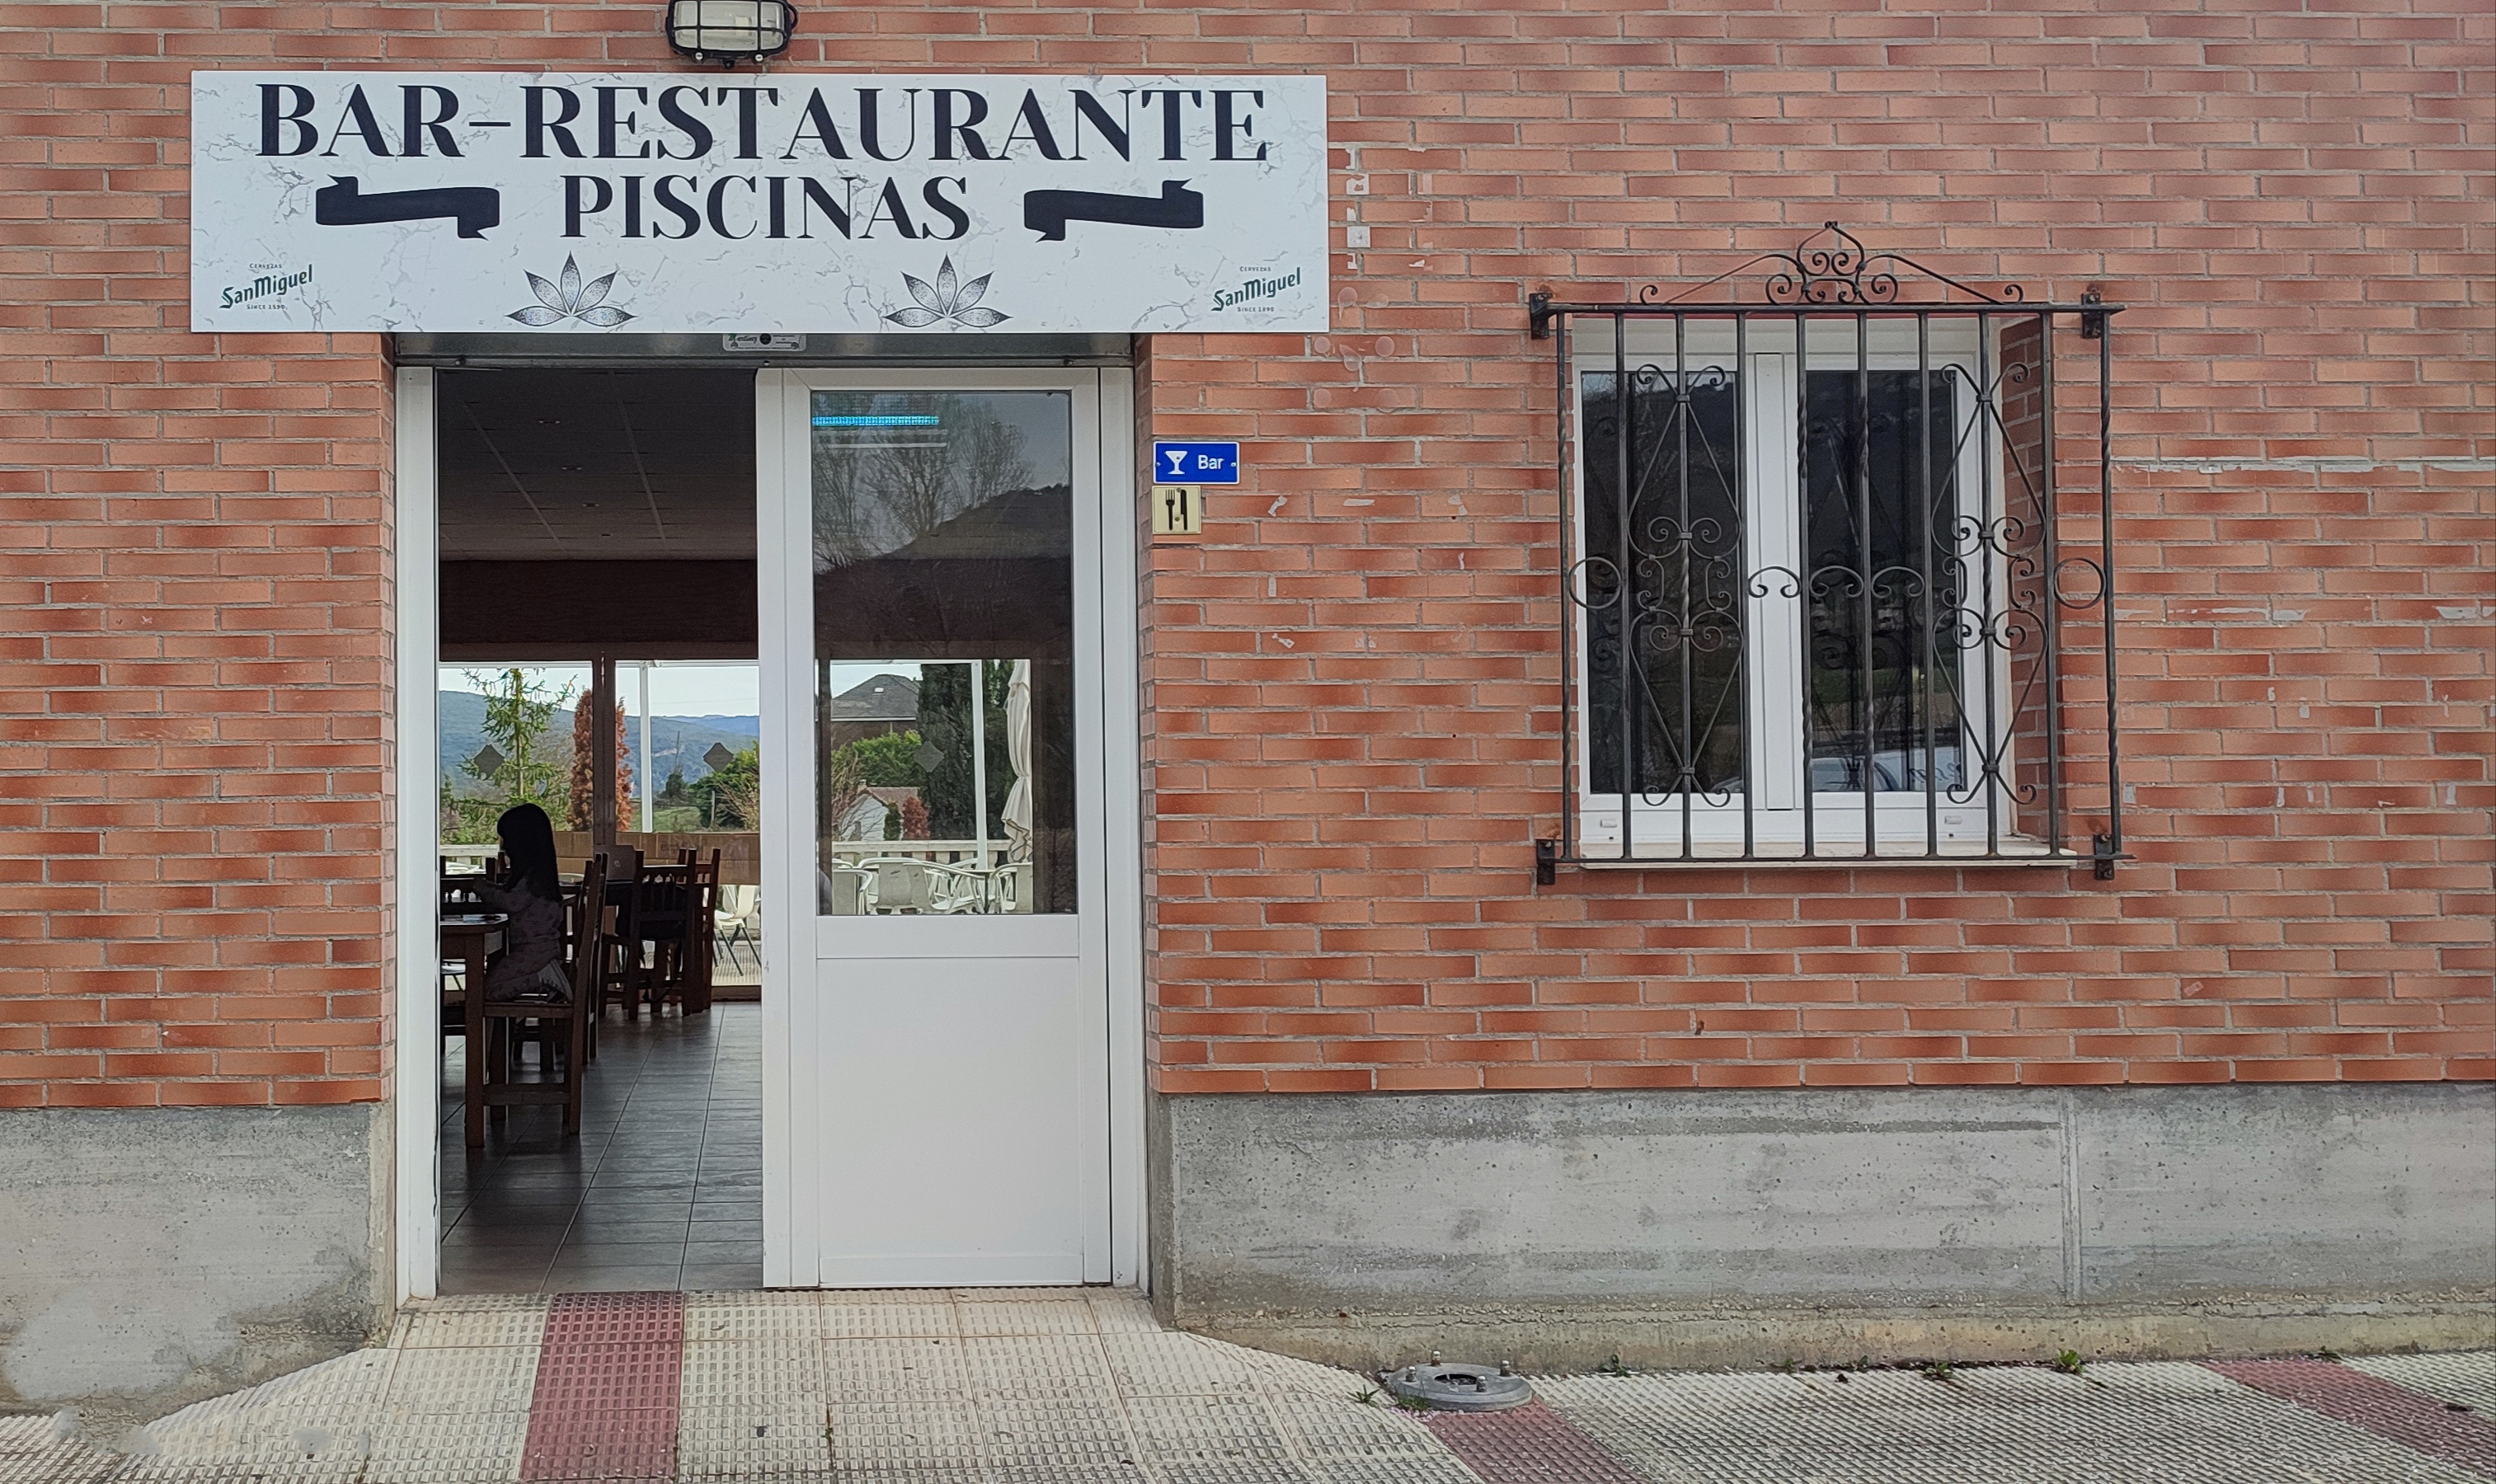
{"x": 161, "y": 1256}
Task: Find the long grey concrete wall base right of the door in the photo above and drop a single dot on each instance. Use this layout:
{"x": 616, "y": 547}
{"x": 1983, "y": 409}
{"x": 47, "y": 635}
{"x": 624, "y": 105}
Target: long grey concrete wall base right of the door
{"x": 1826, "y": 1226}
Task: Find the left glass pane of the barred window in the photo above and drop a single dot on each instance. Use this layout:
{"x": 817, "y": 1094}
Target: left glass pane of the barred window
{"x": 1664, "y": 585}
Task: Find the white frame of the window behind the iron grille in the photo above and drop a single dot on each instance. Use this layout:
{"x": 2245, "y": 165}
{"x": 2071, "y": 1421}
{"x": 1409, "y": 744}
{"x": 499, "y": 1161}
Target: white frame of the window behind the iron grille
{"x": 1773, "y": 725}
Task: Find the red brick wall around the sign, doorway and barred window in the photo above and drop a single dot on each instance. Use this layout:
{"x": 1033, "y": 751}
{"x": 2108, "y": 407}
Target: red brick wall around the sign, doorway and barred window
{"x": 1354, "y": 685}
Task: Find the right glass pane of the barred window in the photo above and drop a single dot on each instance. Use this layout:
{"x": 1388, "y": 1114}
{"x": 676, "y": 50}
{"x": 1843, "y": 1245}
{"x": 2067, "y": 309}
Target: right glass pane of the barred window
{"x": 1888, "y": 580}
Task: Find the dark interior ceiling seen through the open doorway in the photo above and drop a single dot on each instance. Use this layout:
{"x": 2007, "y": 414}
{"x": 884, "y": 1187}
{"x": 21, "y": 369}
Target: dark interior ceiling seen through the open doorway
{"x": 575, "y": 465}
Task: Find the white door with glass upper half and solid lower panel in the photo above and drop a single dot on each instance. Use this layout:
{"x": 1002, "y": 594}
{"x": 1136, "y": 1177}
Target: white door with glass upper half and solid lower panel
{"x": 932, "y": 665}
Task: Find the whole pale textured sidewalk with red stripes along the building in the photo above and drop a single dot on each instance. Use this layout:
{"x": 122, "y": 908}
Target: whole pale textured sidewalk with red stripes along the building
{"x": 1085, "y": 1388}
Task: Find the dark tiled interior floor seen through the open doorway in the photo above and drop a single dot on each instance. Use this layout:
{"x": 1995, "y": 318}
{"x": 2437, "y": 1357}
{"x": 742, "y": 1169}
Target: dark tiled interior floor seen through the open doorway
{"x": 660, "y": 1191}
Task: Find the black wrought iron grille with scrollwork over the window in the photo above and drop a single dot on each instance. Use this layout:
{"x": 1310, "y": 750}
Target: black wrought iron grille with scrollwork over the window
{"x": 1838, "y": 572}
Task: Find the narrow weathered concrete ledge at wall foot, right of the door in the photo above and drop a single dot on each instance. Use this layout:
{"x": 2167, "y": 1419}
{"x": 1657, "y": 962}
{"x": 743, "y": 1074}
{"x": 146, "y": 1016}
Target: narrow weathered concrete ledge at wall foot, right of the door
{"x": 1581, "y": 1338}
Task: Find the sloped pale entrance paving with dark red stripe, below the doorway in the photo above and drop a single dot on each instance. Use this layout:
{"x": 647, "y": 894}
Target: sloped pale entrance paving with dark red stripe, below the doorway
{"x": 797, "y": 1388}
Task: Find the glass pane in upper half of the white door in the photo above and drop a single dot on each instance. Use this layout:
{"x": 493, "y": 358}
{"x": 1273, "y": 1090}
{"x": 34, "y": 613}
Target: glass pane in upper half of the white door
{"x": 945, "y": 652}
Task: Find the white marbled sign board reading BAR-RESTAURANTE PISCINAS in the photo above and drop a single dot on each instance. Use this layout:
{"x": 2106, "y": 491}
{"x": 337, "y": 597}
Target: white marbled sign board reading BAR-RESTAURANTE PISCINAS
{"x": 658, "y": 203}
